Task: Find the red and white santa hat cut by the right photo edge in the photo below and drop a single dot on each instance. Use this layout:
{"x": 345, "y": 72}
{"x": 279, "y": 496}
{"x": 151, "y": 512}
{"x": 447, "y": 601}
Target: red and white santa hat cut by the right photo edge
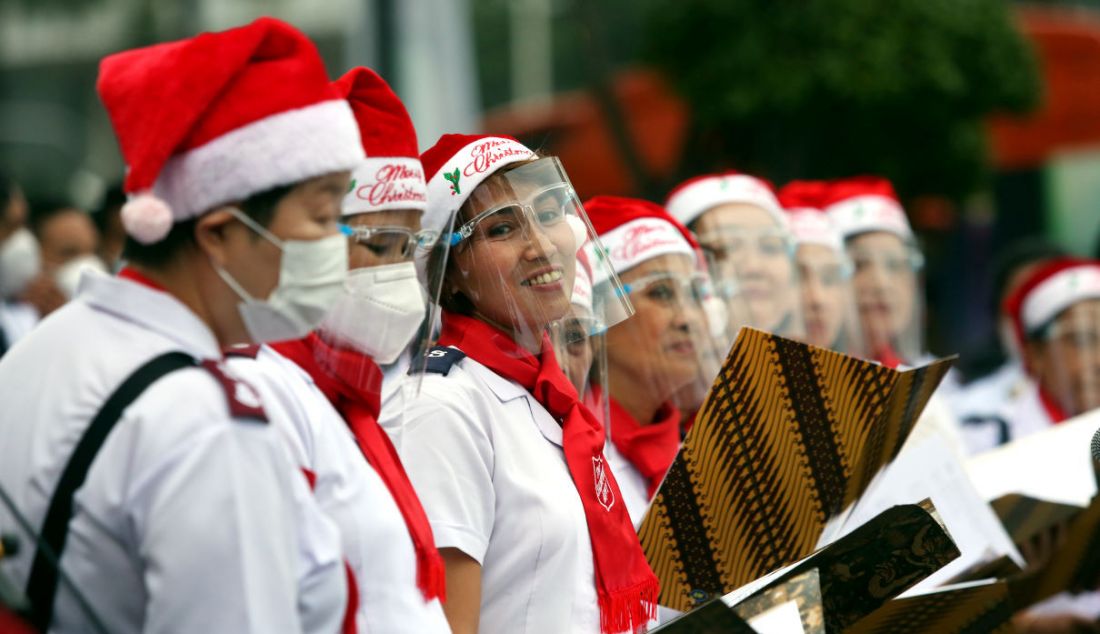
{"x": 1050, "y": 290}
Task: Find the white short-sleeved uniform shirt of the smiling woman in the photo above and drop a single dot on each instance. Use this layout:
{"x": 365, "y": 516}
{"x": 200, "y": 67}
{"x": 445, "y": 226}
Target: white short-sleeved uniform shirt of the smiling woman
{"x": 487, "y": 460}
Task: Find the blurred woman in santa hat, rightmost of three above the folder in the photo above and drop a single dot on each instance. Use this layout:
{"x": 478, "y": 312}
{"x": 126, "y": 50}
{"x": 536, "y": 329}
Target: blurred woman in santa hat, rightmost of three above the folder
{"x": 887, "y": 267}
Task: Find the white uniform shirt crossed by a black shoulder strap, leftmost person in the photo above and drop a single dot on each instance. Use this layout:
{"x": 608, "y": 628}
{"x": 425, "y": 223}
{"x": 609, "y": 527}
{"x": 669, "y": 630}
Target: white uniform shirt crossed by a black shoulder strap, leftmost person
{"x": 190, "y": 521}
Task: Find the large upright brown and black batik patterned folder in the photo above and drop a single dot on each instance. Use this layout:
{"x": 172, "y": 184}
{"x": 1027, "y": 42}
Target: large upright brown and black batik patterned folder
{"x": 789, "y": 436}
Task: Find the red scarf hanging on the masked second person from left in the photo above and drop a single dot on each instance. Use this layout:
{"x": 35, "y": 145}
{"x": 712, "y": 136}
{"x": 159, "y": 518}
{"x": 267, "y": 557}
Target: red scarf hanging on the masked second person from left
{"x": 353, "y": 382}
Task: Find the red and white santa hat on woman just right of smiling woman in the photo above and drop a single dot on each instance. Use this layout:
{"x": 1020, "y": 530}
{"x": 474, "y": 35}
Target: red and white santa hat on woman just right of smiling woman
{"x": 634, "y": 231}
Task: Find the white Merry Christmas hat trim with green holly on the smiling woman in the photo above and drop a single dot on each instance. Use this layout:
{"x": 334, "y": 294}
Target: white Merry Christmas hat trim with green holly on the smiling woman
{"x": 464, "y": 172}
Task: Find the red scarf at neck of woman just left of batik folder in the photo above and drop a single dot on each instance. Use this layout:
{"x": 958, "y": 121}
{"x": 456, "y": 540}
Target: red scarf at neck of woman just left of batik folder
{"x": 651, "y": 449}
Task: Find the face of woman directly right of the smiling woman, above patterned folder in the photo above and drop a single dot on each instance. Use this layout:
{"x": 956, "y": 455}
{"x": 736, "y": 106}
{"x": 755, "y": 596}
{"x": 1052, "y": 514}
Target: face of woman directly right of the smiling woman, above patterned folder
{"x": 657, "y": 349}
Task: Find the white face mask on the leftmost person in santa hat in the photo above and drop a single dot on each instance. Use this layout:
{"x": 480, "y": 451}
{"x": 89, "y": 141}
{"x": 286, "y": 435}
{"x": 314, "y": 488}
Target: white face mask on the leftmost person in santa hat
{"x": 311, "y": 280}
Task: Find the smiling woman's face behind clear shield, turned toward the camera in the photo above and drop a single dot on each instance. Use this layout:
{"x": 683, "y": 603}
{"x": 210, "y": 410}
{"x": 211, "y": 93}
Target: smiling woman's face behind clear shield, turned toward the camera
{"x": 518, "y": 266}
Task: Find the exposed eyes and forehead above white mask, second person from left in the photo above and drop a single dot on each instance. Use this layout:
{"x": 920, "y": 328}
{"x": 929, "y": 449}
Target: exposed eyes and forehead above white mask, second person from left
{"x": 379, "y": 248}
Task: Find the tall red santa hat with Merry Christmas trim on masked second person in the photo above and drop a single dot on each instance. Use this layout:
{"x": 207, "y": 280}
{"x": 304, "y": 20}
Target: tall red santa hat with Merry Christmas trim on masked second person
{"x": 392, "y": 177}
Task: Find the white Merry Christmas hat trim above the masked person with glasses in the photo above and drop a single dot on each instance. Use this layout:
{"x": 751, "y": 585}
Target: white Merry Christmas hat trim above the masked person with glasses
{"x": 381, "y": 184}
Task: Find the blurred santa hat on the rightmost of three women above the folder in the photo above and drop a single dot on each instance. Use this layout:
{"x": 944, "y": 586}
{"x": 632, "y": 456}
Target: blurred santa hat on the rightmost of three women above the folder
{"x": 865, "y": 204}
